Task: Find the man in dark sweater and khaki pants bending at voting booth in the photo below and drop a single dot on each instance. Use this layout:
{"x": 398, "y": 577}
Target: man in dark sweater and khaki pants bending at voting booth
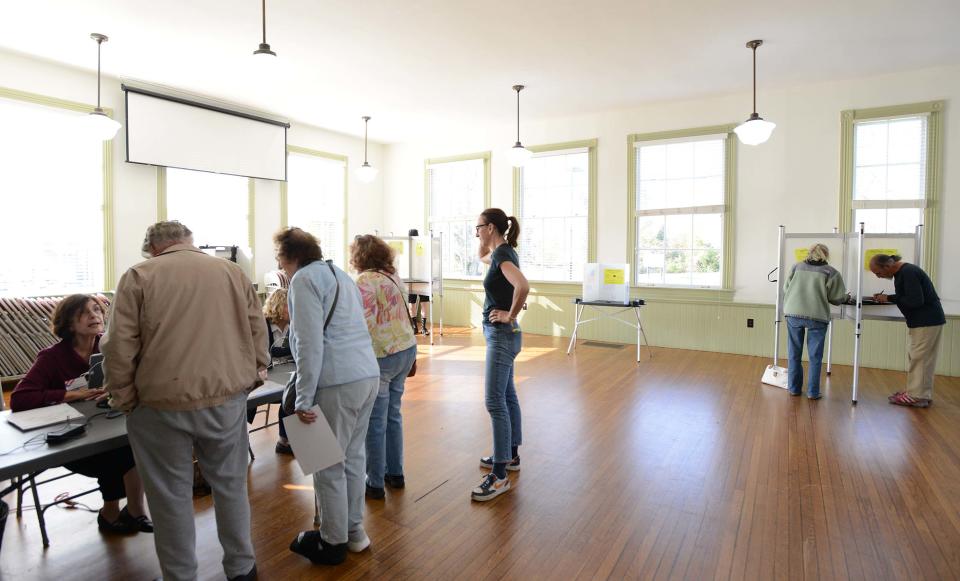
{"x": 916, "y": 298}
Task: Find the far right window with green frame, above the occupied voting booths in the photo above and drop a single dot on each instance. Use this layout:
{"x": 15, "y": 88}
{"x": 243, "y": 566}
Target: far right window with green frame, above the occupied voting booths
{"x": 890, "y": 178}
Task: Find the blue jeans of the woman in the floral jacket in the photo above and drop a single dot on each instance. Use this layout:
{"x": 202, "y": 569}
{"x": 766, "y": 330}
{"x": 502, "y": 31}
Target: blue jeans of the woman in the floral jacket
{"x": 385, "y": 434}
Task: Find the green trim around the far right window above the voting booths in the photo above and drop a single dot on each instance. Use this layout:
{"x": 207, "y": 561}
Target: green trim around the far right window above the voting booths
{"x": 934, "y": 169}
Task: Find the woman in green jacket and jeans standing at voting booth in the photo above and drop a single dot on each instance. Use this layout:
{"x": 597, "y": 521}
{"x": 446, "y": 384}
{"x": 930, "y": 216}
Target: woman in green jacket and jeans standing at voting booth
{"x": 811, "y": 287}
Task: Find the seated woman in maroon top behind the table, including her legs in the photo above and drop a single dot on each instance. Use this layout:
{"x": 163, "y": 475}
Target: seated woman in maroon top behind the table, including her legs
{"x": 78, "y": 321}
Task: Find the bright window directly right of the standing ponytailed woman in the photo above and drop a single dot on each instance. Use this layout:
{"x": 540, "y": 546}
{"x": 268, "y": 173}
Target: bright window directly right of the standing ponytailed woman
{"x": 554, "y": 195}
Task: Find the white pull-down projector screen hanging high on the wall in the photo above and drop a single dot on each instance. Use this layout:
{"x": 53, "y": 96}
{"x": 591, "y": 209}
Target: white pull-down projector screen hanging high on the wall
{"x": 169, "y": 132}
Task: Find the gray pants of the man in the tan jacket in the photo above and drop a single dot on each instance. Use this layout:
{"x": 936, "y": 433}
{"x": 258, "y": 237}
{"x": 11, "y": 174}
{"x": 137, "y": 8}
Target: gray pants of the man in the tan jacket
{"x": 163, "y": 444}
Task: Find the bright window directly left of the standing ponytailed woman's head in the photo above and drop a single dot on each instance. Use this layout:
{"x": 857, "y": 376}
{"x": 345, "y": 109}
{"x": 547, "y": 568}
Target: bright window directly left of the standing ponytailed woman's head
{"x": 457, "y": 191}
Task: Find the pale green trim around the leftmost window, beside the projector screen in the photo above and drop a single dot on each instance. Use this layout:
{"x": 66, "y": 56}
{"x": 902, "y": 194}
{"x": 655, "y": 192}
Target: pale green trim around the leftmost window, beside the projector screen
{"x": 109, "y": 231}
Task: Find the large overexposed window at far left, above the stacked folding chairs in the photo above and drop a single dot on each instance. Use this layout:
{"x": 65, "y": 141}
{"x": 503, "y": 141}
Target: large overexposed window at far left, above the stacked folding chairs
{"x": 54, "y": 199}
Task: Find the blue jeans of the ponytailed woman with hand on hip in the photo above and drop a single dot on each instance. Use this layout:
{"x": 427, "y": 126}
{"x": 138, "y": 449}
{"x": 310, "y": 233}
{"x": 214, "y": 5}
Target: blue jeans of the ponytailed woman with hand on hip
{"x": 503, "y": 346}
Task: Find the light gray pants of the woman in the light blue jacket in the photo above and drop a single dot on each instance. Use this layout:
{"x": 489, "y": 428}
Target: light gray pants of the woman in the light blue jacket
{"x": 340, "y": 488}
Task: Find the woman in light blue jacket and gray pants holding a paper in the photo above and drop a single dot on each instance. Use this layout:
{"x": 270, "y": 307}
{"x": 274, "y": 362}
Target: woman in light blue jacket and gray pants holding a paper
{"x": 337, "y": 371}
